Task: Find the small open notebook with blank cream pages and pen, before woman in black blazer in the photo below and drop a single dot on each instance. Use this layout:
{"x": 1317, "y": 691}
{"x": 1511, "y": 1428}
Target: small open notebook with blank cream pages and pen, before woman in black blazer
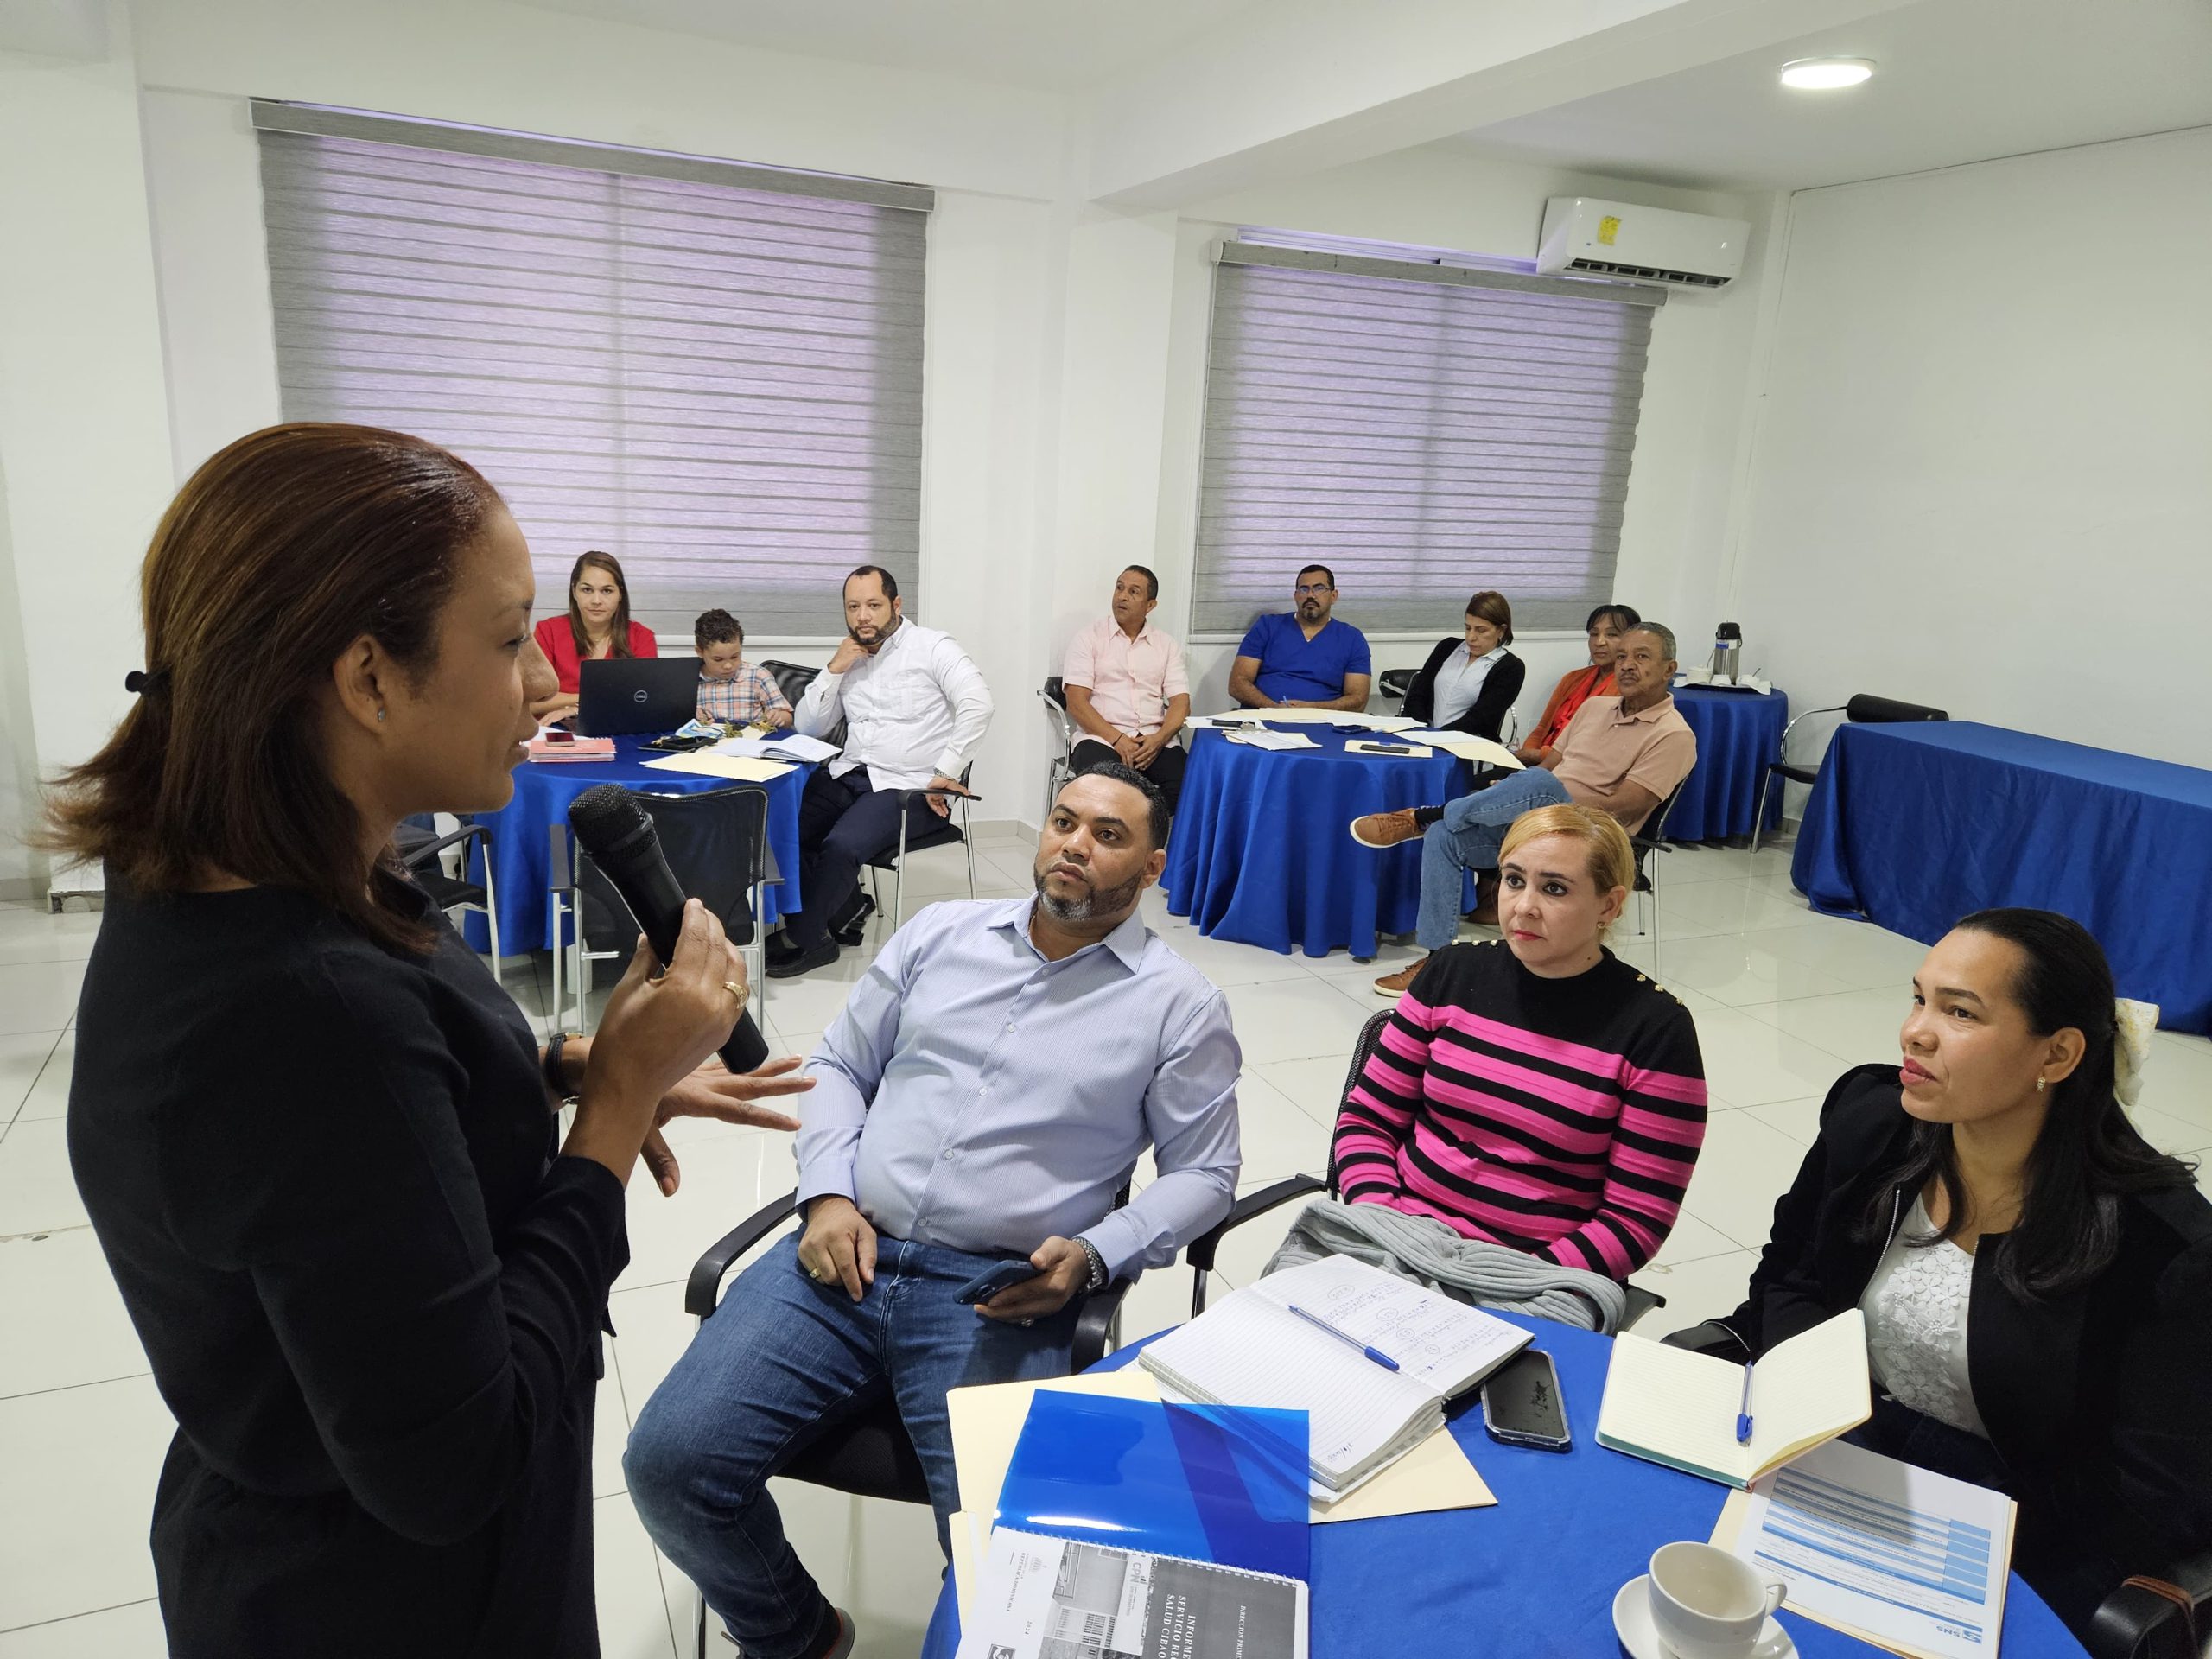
{"x": 1680, "y": 1408}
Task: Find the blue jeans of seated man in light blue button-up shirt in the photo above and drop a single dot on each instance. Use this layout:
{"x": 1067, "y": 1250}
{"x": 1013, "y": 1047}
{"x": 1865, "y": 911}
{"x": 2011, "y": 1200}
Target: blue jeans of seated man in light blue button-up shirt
{"x": 780, "y": 1361}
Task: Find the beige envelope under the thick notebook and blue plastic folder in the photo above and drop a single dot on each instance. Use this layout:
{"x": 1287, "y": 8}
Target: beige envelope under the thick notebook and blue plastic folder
{"x": 988, "y": 1423}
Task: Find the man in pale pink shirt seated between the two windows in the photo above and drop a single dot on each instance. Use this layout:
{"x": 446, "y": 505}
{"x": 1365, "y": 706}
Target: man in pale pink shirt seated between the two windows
{"x": 1127, "y": 689}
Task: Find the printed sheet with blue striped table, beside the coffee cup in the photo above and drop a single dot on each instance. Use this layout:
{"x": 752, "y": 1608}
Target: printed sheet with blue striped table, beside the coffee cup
{"x": 1879, "y": 1550}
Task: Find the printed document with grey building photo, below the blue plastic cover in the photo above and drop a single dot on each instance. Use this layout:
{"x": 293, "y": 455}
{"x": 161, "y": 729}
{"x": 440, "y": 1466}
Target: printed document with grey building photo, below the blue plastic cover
{"x": 1050, "y": 1598}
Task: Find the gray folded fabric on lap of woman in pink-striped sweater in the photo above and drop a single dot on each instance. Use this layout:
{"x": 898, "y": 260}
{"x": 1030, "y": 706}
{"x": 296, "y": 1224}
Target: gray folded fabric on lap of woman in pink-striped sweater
{"x": 1470, "y": 1271}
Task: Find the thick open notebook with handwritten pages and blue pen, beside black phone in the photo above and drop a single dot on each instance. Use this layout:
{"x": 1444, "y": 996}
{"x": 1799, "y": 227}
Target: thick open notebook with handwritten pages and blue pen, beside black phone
{"x": 1361, "y": 1417}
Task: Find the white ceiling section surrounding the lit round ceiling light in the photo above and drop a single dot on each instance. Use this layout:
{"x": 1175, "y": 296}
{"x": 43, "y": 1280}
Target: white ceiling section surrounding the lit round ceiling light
{"x": 1959, "y": 81}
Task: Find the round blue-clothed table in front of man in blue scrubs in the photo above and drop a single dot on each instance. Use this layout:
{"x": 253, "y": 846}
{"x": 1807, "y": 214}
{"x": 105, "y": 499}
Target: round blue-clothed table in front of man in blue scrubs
{"x": 1262, "y": 846}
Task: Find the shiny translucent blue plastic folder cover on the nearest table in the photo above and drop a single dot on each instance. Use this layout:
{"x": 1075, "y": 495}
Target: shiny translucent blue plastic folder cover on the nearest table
{"x": 1198, "y": 1481}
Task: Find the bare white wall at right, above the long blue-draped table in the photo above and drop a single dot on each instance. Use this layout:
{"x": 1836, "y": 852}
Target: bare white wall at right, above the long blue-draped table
{"x": 1983, "y": 470}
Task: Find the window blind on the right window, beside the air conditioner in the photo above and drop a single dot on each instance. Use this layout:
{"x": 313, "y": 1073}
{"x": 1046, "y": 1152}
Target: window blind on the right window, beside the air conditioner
{"x": 1423, "y": 430}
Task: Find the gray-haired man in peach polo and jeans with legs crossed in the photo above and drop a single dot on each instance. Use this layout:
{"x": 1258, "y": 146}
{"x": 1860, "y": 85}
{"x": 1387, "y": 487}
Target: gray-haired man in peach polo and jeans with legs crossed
{"x": 1623, "y": 755}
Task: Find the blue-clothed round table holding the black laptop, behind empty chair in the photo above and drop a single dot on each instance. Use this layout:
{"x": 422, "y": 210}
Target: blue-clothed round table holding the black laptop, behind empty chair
{"x": 521, "y": 842}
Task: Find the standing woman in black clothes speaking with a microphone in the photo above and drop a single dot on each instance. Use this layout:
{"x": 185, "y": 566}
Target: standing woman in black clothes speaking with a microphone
{"x": 315, "y": 1140}
